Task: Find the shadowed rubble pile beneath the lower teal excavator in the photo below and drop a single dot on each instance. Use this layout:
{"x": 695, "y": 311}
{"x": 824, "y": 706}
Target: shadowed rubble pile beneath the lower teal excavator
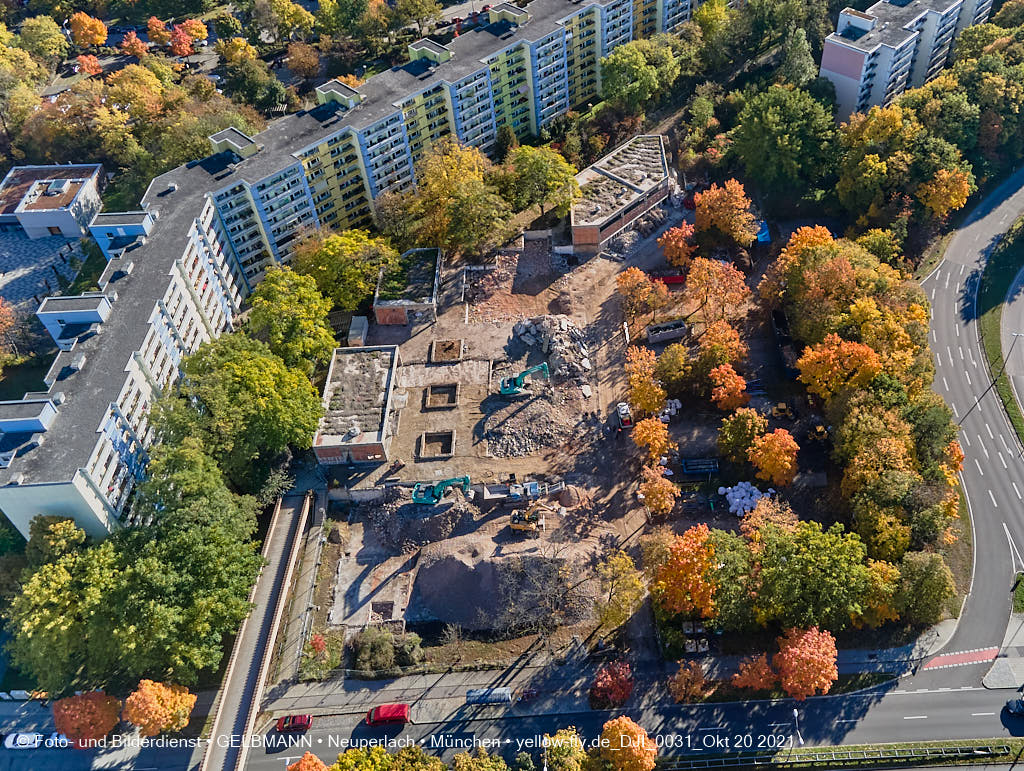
{"x": 406, "y": 527}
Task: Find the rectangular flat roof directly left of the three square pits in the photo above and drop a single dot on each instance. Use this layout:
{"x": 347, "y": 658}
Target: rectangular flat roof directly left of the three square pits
{"x": 358, "y": 396}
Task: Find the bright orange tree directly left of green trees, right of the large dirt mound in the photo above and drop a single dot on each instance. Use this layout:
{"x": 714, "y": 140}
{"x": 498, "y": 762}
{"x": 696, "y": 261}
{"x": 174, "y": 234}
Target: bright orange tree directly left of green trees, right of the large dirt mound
{"x": 686, "y": 584}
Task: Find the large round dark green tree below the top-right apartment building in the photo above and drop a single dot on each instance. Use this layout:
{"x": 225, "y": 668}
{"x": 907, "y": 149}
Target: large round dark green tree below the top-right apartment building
{"x": 785, "y": 140}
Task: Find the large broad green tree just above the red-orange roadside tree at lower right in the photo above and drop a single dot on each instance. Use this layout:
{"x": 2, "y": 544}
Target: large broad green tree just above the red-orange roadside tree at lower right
{"x": 812, "y": 578}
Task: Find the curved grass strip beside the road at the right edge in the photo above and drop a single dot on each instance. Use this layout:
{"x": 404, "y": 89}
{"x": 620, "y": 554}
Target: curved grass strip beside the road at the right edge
{"x": 1004, "y": 264}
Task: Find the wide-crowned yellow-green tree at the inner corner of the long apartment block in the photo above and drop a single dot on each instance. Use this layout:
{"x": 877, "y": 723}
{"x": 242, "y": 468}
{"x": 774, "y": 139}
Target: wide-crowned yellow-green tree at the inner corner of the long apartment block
{"x": 346, "y": 266}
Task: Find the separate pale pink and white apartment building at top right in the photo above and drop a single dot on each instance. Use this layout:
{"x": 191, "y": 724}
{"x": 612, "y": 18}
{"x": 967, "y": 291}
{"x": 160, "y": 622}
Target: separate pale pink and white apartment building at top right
{"x": 876, "y": 56}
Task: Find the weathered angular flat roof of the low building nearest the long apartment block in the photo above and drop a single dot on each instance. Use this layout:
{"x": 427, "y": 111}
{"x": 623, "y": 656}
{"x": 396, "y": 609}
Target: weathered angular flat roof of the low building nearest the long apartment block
{"x": 620, "y": 179}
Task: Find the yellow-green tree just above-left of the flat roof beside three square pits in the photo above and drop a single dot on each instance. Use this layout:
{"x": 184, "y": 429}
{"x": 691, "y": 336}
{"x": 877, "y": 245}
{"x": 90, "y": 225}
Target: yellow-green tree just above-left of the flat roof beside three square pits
{"x": 290, "y": 315}
